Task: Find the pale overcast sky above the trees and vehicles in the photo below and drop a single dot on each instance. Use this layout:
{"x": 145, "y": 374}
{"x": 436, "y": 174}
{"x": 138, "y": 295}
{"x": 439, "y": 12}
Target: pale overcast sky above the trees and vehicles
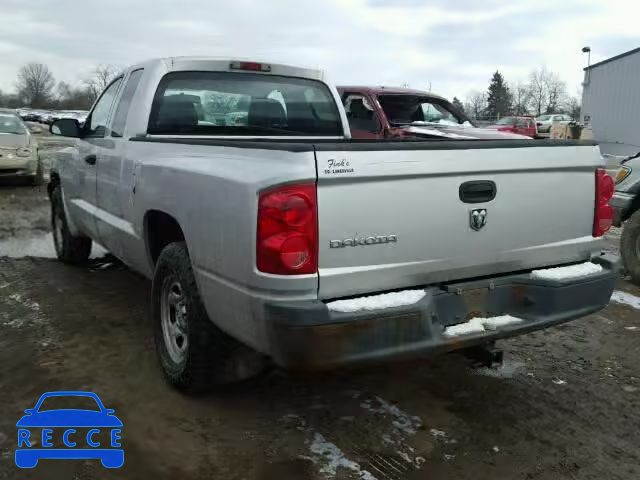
{"x": 453, "y": 44}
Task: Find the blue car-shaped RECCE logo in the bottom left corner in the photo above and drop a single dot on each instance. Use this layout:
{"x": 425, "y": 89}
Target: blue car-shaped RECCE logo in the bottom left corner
{"x": 99, "y": 419}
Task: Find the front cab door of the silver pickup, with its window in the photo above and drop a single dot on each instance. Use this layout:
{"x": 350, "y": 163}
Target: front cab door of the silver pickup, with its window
{"x": 81, "y": 198}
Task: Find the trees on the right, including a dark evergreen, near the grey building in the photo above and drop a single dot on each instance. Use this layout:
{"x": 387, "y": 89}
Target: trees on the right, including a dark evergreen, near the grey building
{"x": 544, "y": 92}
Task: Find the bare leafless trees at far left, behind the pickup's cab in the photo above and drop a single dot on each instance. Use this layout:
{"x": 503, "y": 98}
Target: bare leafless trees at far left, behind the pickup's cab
{"x": 35, "y": 87}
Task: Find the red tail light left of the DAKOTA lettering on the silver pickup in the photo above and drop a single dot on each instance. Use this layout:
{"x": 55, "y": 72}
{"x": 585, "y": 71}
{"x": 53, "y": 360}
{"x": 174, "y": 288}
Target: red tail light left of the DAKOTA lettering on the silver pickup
{"x": 287, "y": 239}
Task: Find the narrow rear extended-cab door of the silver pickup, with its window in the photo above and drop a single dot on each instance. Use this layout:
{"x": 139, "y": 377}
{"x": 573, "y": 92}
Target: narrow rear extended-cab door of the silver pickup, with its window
{"x": 115, "y": 175}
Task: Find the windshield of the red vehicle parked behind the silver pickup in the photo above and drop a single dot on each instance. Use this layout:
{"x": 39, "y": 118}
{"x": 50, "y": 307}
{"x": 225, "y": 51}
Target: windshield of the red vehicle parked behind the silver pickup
{"x": 413, "y": 109}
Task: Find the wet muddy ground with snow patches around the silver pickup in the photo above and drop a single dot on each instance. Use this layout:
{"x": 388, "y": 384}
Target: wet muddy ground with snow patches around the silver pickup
{"x": 566, "y": 403}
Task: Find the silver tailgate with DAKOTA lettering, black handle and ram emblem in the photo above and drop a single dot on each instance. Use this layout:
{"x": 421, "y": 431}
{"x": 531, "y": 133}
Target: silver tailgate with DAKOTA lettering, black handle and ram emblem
{"x": 393, "y": 215}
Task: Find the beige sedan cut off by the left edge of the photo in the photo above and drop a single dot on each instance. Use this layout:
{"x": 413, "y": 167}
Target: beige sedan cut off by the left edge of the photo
{"x": 18, "y": 149}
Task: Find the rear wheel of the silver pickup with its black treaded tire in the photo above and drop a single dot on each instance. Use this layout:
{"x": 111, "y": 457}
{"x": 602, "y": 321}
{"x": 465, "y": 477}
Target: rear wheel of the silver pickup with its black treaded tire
{"x": 194, "y": 354}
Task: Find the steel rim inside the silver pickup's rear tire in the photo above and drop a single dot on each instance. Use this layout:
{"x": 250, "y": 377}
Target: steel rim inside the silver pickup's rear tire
{"x": 173, "y": 313}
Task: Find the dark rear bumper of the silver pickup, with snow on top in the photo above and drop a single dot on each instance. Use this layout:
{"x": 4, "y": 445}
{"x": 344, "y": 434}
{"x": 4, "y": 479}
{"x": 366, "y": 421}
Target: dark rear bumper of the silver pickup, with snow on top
{"x": 307, "y": 336}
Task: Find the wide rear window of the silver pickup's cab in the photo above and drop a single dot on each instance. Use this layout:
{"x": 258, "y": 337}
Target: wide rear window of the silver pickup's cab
{"x": 223, "y": 103}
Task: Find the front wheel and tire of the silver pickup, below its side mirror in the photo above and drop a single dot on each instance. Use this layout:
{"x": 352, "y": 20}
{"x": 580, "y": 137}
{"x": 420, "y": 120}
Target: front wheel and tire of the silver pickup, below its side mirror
{"x": 74, "y": 250}
